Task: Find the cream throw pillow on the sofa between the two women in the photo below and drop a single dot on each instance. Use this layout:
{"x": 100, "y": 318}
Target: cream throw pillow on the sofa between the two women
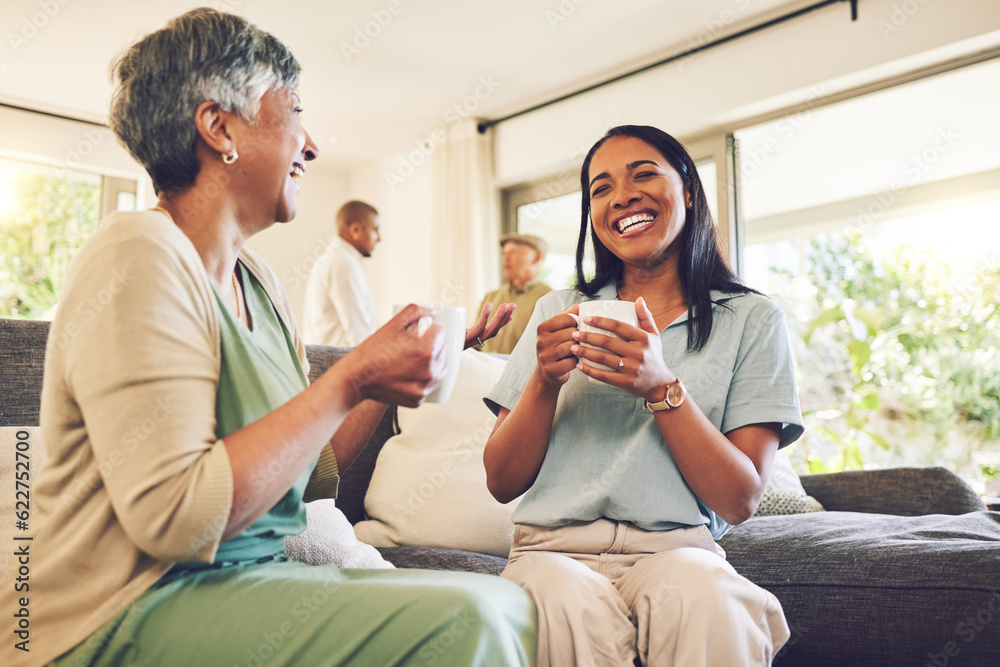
{"x": 428, "y": 488}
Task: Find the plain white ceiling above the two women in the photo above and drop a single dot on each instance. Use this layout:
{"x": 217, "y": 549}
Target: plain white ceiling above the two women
{"x": 378, "y": 75}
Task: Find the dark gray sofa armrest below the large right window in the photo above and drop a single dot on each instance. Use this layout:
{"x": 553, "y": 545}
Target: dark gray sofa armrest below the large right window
{"x": 901, "y": 491}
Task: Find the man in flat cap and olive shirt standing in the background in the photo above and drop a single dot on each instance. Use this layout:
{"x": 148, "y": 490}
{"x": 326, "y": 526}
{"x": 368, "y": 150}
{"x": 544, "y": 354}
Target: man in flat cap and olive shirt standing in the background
{"x": 522, "y": 261}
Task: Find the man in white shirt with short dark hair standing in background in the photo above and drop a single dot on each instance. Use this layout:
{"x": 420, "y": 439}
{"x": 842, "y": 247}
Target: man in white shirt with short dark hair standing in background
{"x": 339, "y": 306}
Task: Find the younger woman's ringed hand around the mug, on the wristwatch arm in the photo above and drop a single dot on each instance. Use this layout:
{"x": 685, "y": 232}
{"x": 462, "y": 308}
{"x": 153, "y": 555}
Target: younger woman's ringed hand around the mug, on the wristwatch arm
{"x": 644, "y": 373}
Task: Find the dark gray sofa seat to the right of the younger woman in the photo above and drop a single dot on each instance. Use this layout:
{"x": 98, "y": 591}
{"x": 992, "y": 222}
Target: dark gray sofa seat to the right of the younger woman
{"x": 871, "y": 589}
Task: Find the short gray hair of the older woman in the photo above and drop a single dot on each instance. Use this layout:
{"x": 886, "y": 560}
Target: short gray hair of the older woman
{"x": 163, "y": 78}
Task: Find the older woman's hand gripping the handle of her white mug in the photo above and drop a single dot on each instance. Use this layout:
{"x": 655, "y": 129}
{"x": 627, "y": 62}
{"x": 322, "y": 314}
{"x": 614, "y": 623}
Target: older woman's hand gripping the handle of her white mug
{"x": 397, "y": 365}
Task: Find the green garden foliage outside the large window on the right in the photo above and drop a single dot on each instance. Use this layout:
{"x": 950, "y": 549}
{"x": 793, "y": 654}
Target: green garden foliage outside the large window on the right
{"x": 900, "y": 357}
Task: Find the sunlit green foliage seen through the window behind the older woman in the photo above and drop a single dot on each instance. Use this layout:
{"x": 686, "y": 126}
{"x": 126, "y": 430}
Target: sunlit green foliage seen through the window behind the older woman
{"x": 50, "y": 220}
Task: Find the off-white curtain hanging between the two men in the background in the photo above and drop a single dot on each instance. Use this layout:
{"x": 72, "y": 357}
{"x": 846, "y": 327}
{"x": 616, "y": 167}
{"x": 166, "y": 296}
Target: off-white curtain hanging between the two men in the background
{"x": 466, "y": 208}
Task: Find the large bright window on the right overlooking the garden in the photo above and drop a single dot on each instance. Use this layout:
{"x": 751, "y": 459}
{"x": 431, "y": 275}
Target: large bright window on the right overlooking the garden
{"x": 875, "y": 222}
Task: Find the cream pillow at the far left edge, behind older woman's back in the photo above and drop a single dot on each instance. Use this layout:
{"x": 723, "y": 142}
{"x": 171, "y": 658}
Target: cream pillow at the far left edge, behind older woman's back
{"x": 21, "y": 455}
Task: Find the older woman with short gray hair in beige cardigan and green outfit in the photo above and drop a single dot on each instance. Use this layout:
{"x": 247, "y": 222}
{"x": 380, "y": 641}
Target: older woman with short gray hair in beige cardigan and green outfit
{"x": 182, "y": 437}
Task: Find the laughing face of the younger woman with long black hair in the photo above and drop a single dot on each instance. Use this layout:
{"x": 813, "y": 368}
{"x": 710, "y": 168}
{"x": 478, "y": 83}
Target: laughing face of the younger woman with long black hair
{"x": 638, "y": 204}
